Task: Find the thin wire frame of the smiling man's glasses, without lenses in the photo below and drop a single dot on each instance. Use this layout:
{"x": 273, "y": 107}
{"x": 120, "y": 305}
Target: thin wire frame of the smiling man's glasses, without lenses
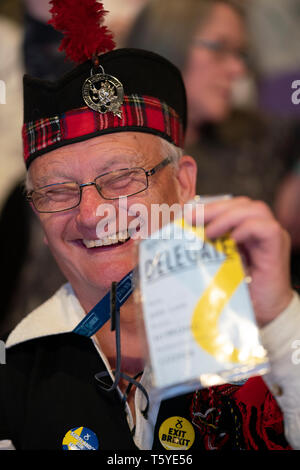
{"x": 32, "y": 195}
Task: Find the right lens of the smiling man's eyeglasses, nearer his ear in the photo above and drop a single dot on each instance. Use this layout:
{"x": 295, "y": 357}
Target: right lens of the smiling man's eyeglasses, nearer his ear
{"x": 122, "y": 183}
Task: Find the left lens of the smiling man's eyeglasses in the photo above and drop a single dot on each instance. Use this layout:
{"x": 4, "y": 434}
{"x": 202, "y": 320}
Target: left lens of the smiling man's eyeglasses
{"x": 56, "y": 197}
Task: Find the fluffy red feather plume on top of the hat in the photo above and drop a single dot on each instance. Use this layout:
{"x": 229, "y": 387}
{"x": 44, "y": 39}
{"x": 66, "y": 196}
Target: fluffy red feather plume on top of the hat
{"x": 81, "y": 22}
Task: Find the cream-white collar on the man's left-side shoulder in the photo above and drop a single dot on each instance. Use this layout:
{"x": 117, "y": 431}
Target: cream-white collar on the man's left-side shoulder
{"x": 59, "y": 314}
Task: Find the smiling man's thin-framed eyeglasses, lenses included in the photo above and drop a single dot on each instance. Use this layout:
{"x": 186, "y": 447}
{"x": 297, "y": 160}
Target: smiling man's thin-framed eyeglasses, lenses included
{"x": 112, "y": 185}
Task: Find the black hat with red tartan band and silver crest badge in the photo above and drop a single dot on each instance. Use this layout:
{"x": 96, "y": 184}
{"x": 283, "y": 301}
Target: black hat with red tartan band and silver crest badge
{"x": 128, "y": 90}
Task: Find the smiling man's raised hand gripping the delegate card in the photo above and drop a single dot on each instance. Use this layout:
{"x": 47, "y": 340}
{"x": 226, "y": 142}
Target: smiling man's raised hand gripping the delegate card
{"x": 265, "y": 246}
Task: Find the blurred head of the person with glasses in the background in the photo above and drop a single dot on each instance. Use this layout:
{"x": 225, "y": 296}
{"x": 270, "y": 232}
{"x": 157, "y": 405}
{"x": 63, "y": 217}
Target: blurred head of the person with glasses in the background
{"x": 207, "y": 40}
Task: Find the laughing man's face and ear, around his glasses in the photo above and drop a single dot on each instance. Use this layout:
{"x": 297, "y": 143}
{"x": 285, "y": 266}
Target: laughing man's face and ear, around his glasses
{"x": 71, "y": 234}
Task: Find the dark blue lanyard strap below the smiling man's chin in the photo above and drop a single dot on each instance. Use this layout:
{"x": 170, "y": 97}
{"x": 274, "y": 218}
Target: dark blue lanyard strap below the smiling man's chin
{"x": 100, "y": 314}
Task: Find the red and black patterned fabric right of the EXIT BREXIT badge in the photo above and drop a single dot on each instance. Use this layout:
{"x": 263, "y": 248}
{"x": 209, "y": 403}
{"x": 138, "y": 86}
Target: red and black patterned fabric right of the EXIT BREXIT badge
{"x": 243, "y": 417}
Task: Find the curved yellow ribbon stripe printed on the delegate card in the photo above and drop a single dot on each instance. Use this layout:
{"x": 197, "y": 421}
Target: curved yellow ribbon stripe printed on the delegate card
{"x": 205, "y": 321}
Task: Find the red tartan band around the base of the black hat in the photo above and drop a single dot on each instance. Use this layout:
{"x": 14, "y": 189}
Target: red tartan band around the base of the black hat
{"x": 139, "y": 113}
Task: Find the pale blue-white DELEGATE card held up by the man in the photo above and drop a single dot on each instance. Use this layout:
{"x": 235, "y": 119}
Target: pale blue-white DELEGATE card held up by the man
{"x": 173, "y": 279}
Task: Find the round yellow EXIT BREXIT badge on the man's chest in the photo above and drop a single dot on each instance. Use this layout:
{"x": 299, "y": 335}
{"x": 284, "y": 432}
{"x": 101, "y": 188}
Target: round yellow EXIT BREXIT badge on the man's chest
{"x": 176, "y": 433}
